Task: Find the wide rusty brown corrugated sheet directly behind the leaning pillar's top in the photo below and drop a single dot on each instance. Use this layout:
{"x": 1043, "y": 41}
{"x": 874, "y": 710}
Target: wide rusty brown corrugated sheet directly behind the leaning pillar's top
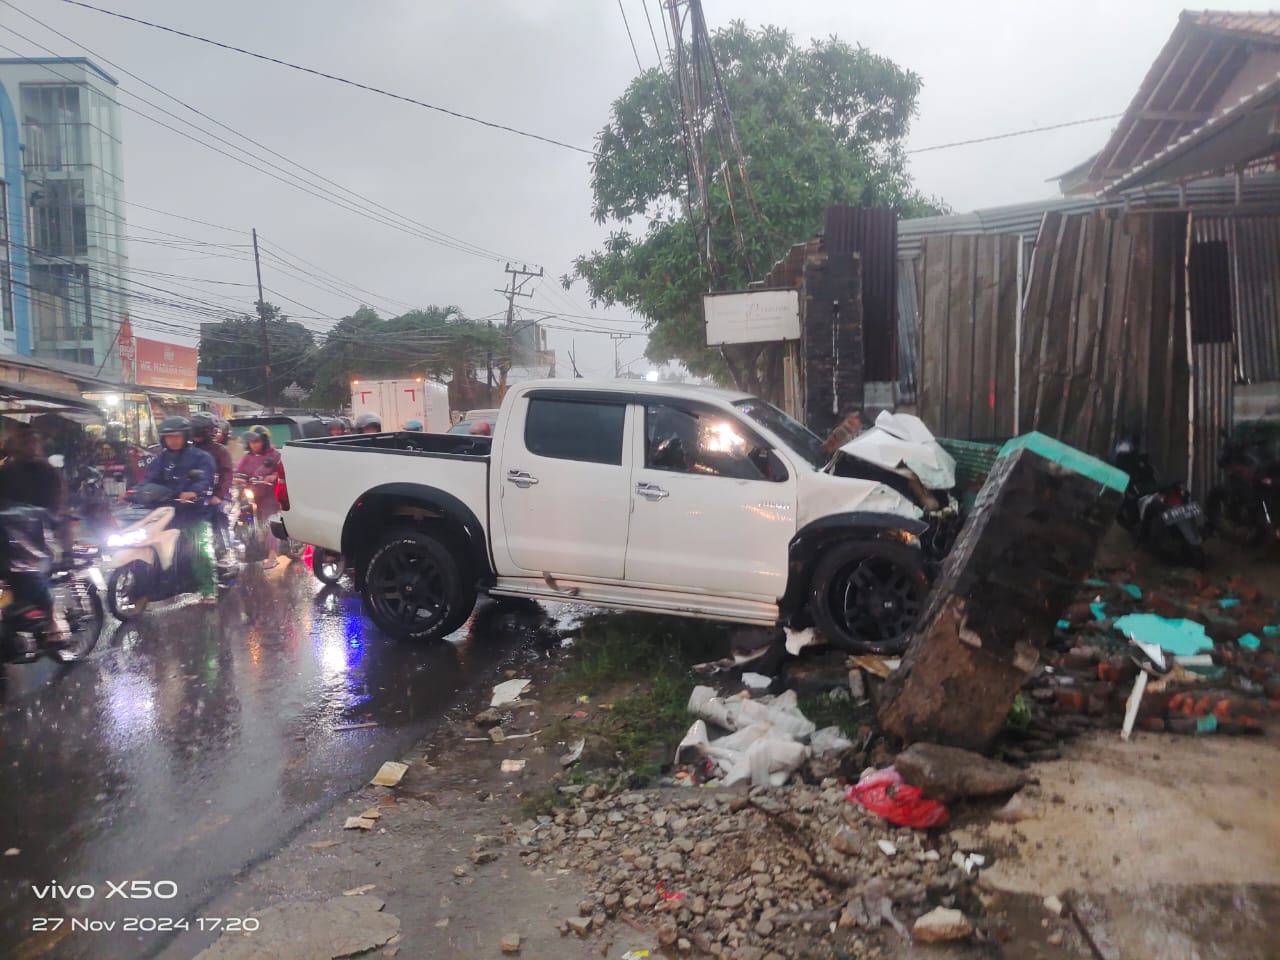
{"x": 1105, "y": 337}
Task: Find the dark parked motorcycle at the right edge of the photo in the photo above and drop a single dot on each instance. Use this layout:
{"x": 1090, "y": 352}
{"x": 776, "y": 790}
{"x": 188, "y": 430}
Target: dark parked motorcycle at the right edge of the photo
{"x": 1246, "y": 508}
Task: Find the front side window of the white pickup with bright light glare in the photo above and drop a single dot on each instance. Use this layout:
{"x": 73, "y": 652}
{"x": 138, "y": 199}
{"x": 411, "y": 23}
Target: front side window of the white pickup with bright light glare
{"x": 703, "y": 441}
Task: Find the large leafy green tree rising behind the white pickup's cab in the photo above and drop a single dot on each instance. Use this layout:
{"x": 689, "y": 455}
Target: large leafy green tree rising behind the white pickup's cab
{"x": 819, "y": 126}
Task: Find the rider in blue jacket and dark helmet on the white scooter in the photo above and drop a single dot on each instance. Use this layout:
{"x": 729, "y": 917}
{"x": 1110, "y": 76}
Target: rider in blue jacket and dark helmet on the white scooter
{"x": 189, "y": 473}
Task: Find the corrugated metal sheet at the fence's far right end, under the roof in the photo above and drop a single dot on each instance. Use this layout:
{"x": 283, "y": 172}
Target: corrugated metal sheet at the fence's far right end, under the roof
{"x": 1254, "y": 244}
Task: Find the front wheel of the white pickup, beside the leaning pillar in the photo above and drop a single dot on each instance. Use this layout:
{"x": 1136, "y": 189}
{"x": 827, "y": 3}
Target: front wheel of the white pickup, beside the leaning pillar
{"x": 867, "y": 596}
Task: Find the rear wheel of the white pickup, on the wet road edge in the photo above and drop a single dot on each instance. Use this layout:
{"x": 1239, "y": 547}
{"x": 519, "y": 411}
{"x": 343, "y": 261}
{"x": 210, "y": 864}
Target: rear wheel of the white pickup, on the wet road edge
{"x": 414, "y": 588}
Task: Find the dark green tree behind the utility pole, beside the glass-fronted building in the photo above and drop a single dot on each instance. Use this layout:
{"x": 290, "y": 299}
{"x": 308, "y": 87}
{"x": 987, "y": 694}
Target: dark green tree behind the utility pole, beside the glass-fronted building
{"x": 231, "y": 353}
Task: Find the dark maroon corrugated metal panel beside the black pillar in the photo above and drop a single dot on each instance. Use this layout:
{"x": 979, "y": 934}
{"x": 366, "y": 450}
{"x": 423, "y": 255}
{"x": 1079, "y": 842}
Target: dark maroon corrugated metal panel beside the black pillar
{"x": 872, "y": 234}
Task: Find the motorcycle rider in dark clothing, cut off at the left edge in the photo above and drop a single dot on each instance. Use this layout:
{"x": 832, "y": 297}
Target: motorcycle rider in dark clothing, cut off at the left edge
{"x": 29, "y": 479}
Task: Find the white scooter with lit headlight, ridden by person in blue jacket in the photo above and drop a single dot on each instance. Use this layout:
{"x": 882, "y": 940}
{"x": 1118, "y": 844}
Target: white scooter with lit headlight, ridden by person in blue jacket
{"x": 149, "y": 556}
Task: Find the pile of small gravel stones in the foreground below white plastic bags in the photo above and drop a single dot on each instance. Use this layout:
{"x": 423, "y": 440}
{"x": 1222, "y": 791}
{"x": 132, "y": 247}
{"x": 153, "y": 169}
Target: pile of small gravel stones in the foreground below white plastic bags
{"x": 769, "y": 874}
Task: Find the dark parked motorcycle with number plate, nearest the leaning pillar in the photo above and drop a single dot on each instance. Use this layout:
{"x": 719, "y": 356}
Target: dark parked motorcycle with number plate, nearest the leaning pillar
{"x": 1164, "y": 518}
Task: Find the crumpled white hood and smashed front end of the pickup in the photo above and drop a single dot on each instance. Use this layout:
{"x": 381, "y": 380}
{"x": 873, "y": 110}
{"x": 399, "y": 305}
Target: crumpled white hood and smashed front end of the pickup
{"x": 902, "y": 454}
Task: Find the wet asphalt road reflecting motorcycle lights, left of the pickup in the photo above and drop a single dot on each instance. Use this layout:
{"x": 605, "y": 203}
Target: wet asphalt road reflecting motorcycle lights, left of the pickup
{"x": 195, "y": 743}
